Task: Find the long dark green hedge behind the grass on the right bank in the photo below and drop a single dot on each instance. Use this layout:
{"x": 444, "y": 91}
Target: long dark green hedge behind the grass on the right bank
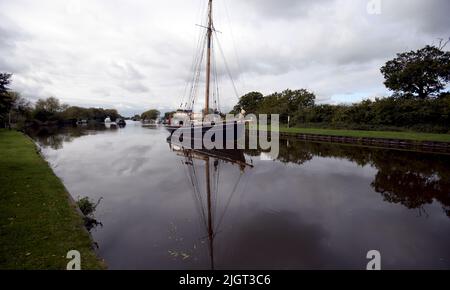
{"x": 394, "y": 114}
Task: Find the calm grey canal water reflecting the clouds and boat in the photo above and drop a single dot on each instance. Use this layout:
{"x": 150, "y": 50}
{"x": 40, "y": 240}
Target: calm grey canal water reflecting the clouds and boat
{"x": 319, "y": 206}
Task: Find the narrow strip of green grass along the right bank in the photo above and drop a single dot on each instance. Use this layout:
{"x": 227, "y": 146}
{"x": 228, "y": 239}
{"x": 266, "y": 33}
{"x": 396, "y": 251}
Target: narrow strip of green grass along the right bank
{"x": 370, "y": 134}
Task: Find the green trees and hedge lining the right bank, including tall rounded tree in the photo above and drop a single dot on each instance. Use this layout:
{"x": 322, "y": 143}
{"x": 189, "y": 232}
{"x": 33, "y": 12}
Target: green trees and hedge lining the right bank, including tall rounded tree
{"x": 419, "y": 102}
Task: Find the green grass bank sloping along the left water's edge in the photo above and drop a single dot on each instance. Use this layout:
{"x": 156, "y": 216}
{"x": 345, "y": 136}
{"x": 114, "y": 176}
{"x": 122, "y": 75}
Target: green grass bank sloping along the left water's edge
{"x": 38, "y": 223}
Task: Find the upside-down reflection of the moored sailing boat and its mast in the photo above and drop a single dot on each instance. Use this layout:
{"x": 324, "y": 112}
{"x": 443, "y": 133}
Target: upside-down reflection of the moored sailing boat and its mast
{"x": 207, "y": 198}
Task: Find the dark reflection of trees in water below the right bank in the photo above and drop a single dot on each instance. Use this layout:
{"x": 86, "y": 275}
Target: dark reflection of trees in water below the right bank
{"x": 404, "y": 177}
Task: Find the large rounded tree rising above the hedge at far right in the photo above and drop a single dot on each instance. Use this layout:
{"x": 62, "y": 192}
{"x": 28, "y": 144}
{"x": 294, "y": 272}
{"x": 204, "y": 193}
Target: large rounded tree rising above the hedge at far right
{"x": 420, "y": 73}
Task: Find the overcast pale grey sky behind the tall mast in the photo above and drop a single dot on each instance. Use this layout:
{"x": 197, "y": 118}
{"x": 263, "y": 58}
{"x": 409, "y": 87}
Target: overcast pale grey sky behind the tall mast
{"x": 136, "y": 54}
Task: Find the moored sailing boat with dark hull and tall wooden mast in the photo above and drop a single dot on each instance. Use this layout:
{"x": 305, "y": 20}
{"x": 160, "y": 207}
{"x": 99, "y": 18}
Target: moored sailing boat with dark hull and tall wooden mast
{"x": 185, "y": 121}
